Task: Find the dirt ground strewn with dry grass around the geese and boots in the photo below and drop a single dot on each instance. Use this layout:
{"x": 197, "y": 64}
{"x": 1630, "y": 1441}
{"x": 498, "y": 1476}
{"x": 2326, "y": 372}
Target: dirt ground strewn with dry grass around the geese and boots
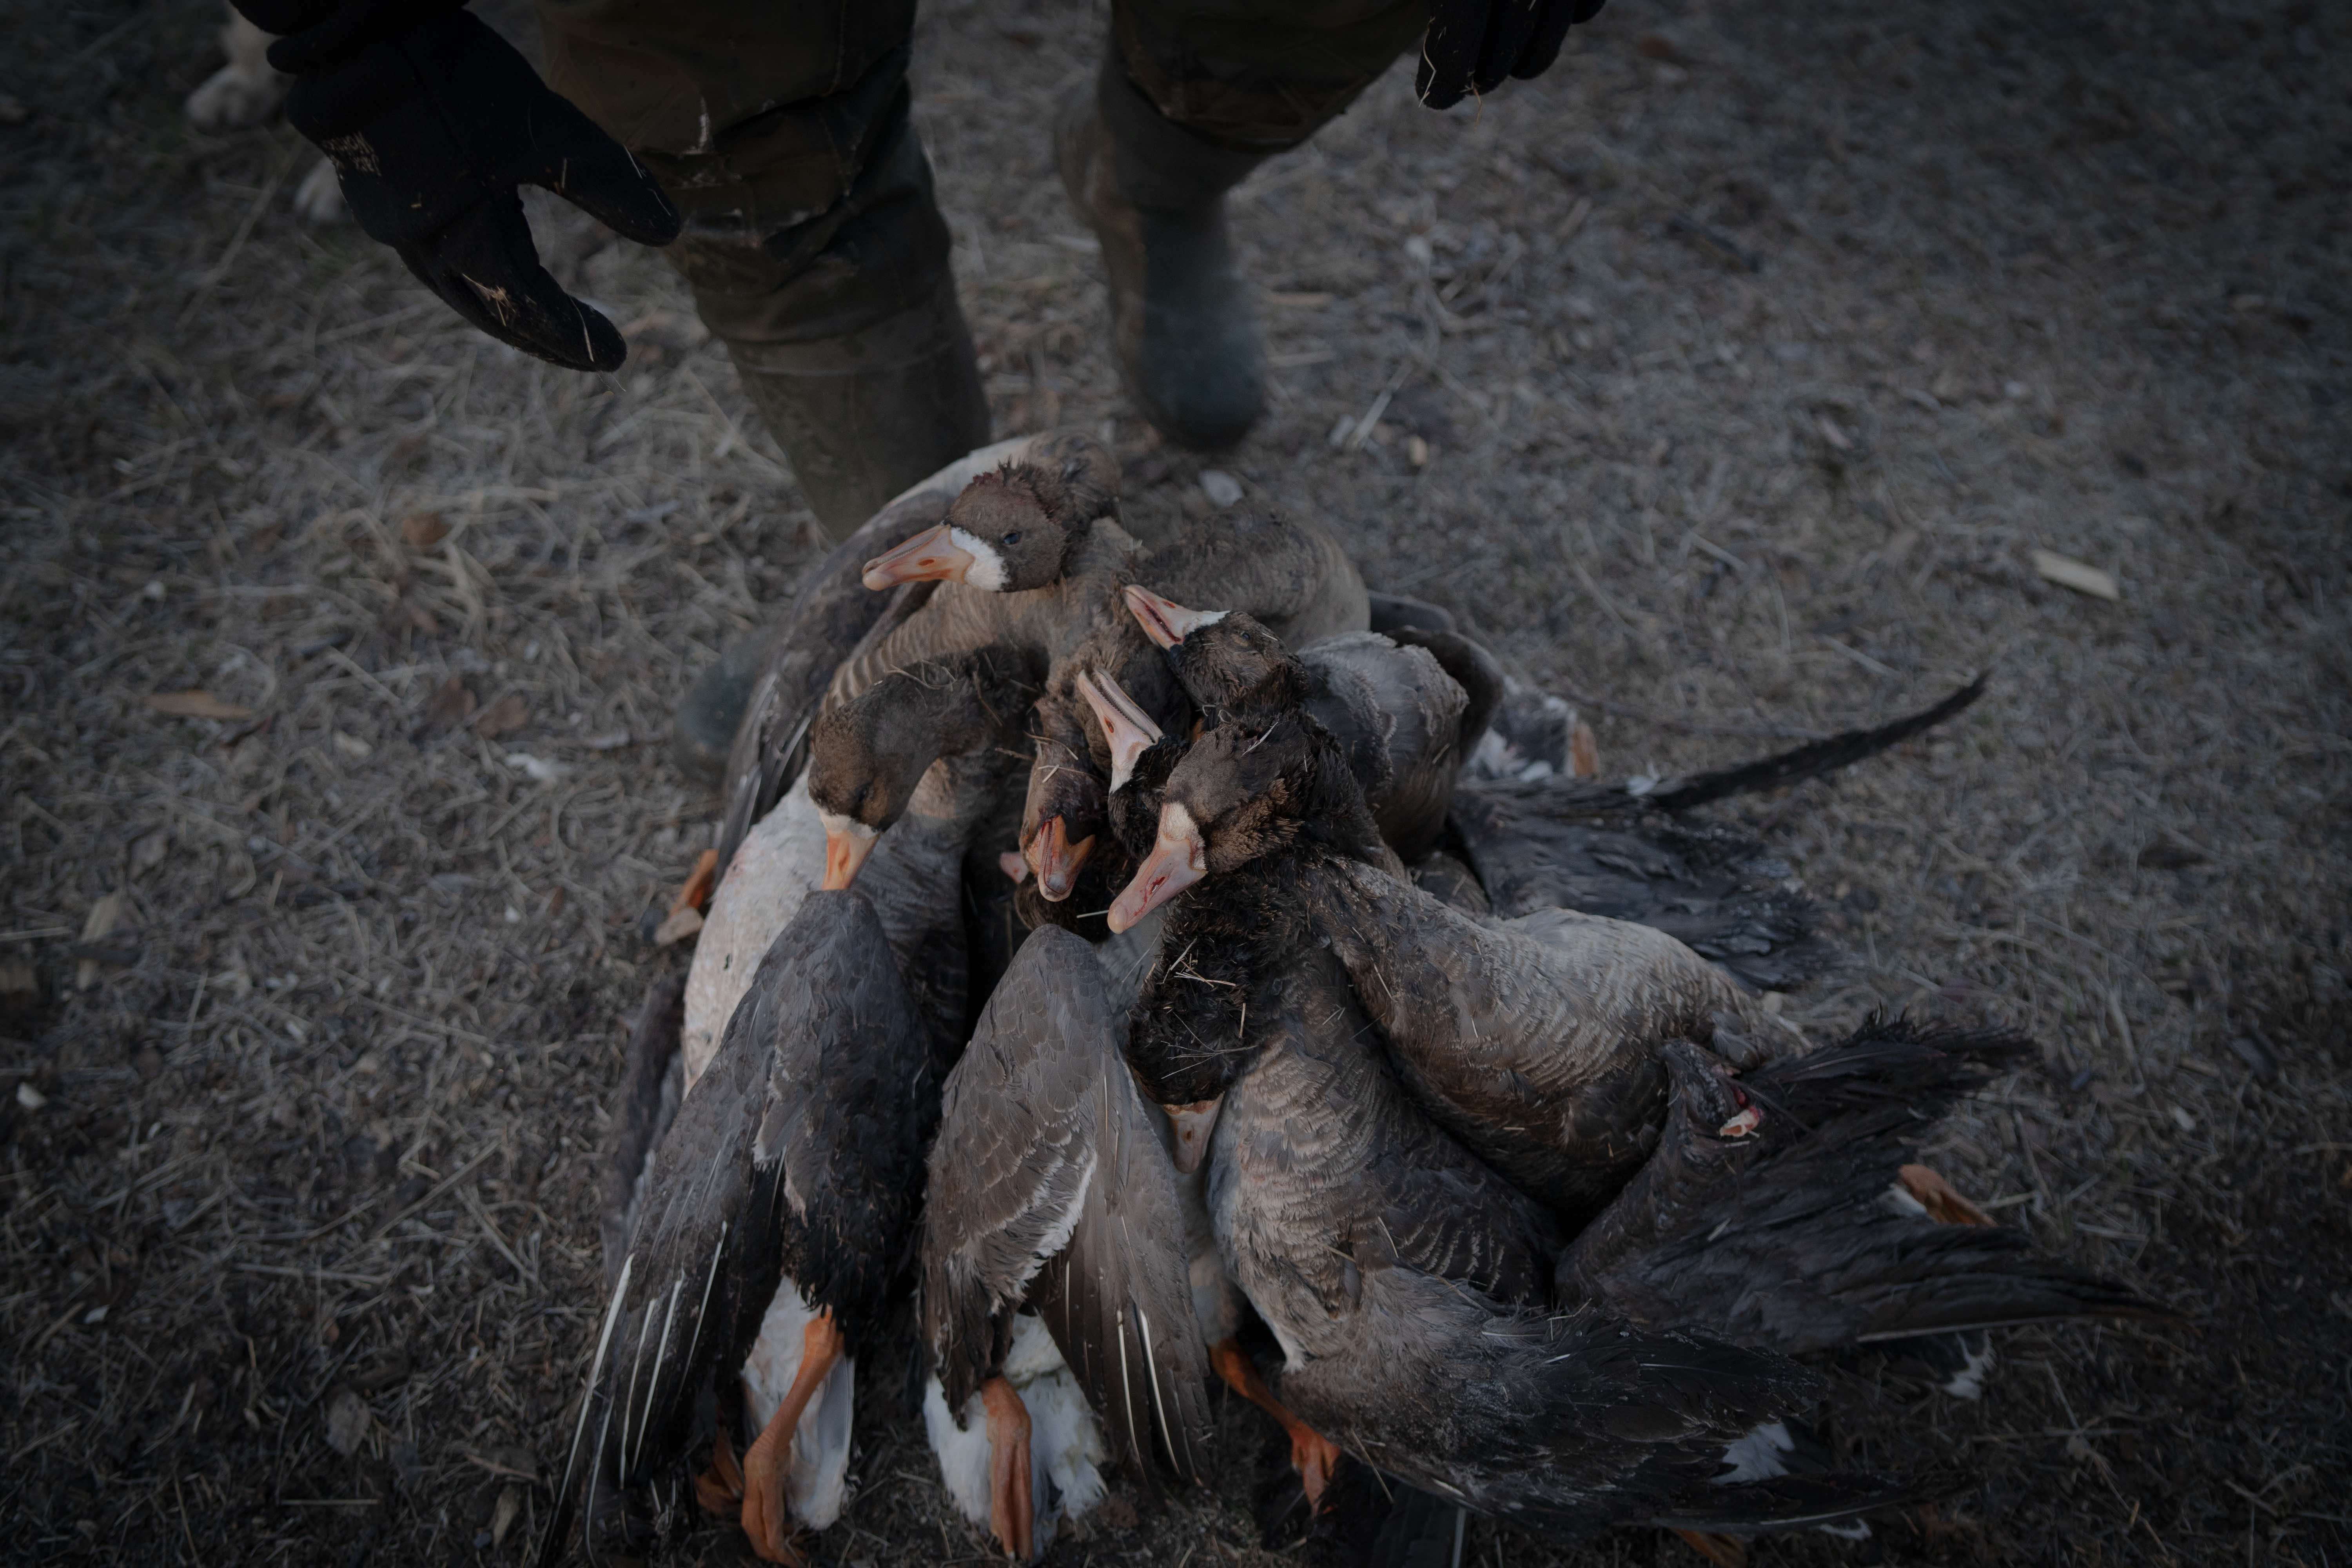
{"x": 1728, "y": 380}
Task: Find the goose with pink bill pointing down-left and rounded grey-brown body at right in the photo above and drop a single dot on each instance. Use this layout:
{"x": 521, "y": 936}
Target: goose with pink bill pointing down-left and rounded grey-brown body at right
{"x": 1535, "y": 1043}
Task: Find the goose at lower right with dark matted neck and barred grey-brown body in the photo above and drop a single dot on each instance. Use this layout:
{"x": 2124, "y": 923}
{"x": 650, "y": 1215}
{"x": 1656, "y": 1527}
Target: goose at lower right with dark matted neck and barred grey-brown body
{"x": 1403, "y": 1278}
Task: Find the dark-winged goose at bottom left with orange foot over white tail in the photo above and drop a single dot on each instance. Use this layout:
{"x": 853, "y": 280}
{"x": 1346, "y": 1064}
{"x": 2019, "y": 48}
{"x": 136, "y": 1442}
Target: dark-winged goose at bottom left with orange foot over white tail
{"x": 775, "y": 1233}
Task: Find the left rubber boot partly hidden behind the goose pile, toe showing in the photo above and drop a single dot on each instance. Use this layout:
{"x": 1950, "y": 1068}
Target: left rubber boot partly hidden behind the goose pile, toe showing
{"x": 862, "y": 420}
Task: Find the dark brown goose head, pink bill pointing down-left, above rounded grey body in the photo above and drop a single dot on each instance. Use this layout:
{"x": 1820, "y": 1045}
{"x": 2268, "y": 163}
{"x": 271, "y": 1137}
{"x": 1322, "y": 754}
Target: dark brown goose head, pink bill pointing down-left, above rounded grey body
{"x": 1248, "y": 791}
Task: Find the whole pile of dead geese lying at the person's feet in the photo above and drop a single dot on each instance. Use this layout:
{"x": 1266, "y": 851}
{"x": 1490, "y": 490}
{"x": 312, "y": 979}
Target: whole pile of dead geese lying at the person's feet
{"x": 1128, "y": 951}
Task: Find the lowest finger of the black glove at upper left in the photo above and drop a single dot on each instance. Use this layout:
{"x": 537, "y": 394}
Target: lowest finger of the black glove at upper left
{"x": 488, "y": 272}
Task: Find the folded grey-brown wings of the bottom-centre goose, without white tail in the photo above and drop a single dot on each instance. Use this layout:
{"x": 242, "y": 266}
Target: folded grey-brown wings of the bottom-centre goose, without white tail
{"x": 1050, "y": 1186}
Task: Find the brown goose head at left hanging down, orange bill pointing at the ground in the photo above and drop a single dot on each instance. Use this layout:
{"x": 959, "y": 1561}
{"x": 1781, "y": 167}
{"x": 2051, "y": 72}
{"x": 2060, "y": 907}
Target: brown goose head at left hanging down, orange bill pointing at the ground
{"x": 869, "y": 753}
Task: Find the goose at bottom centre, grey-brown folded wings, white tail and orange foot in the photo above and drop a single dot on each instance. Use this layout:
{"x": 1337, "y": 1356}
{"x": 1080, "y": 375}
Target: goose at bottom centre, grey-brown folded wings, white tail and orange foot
{"x": 1053, "y": 1212}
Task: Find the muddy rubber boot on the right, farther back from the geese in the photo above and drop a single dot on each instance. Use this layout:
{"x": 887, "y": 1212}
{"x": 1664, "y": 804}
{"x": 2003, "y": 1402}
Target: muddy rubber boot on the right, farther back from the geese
{"x": 1182, "y": 326}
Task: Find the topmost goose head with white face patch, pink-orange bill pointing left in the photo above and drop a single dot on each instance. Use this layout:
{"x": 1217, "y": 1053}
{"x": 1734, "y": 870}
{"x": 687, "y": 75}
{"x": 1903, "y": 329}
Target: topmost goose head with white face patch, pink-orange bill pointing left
{"x": 1013, "y": 528}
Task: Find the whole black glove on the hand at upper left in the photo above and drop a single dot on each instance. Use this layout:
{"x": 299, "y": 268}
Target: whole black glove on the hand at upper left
{"x": 432, "y": 121}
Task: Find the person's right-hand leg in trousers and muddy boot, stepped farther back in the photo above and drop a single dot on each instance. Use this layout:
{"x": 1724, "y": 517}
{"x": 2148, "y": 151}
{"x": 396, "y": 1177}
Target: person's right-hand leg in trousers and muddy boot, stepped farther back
{"x": 1191, "y": 98}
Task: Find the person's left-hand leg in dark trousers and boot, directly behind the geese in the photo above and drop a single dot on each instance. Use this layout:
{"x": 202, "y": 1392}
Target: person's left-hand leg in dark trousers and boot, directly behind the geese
{"x": 813, "y": 241}
